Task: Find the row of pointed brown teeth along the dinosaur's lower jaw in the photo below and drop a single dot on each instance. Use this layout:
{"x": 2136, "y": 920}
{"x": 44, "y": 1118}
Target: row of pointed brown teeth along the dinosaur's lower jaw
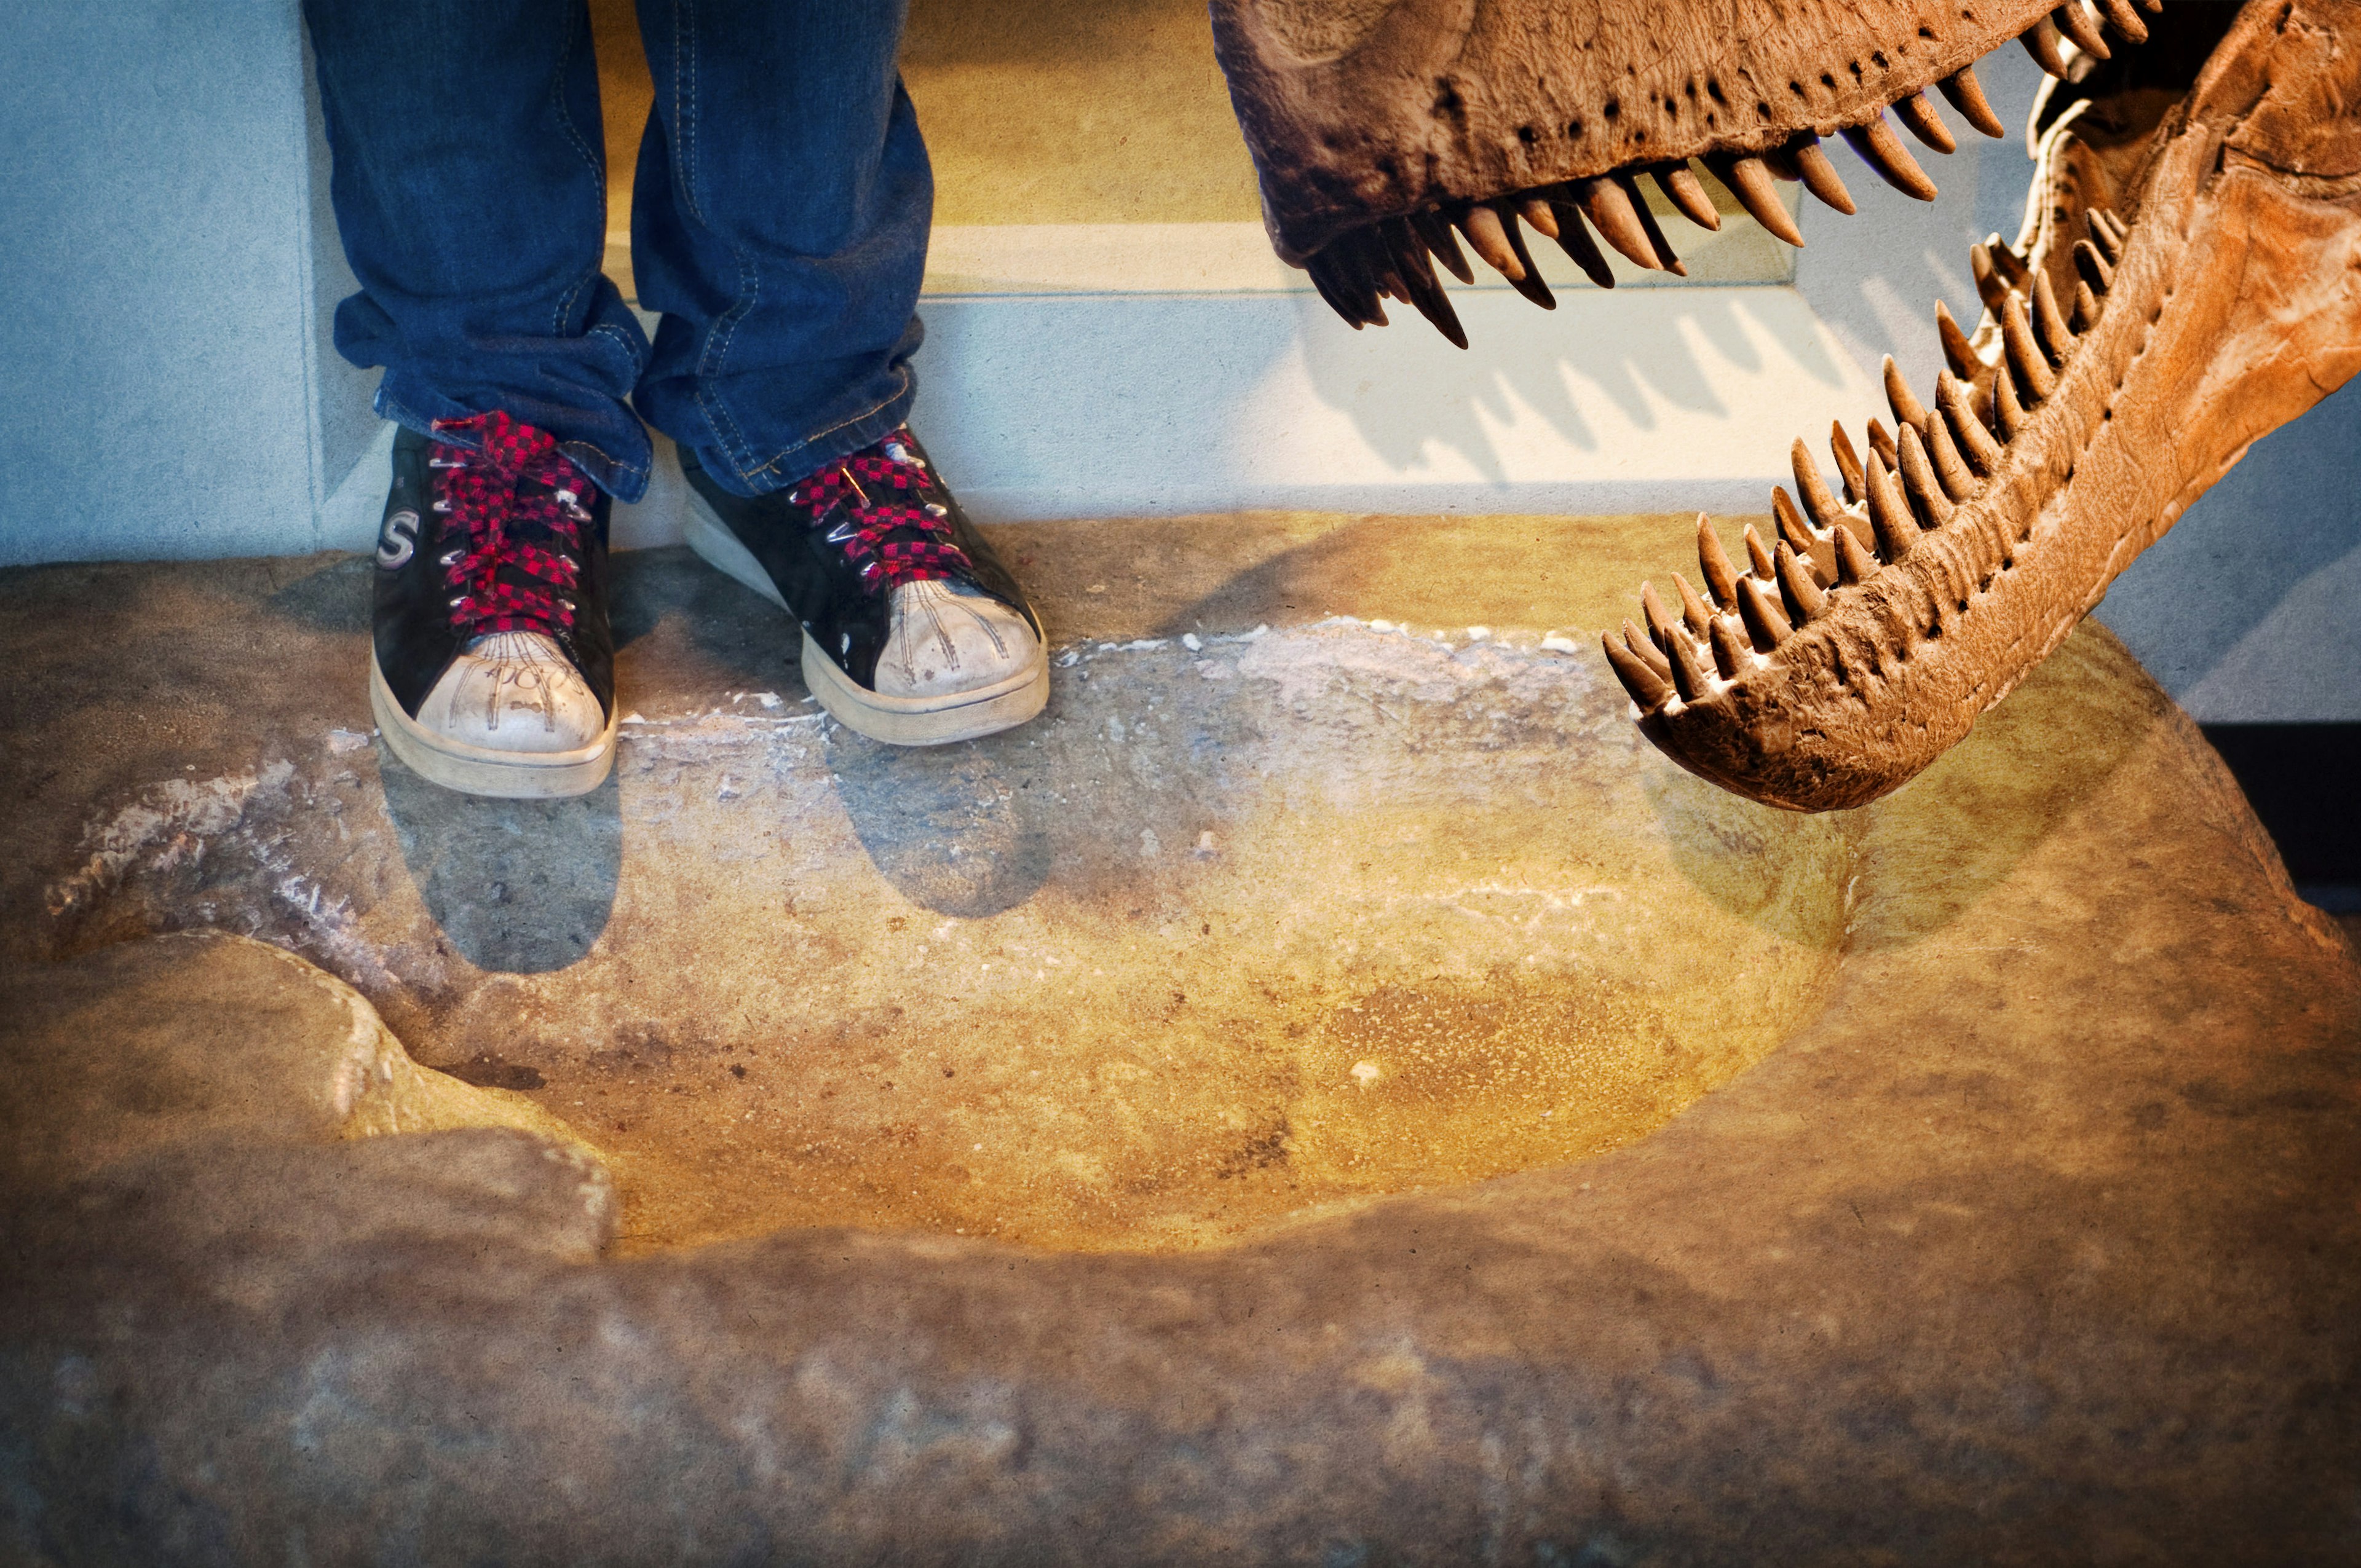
{"x": 1909, "y": 485}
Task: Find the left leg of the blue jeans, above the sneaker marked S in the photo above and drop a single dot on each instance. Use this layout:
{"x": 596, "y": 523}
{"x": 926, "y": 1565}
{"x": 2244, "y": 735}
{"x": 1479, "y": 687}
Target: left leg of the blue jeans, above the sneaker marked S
{"x": 473, "y": 204}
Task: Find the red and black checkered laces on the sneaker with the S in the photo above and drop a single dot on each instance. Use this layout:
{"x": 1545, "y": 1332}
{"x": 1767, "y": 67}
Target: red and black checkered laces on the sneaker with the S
{"x": 516, "y": 525}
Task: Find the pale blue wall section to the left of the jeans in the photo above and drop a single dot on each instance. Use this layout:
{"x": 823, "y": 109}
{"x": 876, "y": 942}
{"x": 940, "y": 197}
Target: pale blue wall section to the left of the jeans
{"x": 166, "y": 384}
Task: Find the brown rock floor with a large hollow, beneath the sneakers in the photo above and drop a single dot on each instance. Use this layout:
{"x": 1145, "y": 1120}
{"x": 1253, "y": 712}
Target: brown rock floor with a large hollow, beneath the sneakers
{"x": 1326, "y": 1087}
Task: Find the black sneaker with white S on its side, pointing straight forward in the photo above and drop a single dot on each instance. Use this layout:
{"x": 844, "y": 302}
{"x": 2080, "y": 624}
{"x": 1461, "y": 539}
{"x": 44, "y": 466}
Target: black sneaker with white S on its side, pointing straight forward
{"x": 492, "y": 667}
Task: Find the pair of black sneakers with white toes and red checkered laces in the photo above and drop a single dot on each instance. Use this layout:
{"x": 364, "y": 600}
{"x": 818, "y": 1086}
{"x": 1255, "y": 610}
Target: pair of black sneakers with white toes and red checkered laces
{"x": 492, "y": 665}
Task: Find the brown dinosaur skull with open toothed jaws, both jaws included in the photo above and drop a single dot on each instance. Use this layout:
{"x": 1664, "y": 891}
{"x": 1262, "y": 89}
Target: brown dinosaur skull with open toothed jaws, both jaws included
{"x": 2190, "y": 277}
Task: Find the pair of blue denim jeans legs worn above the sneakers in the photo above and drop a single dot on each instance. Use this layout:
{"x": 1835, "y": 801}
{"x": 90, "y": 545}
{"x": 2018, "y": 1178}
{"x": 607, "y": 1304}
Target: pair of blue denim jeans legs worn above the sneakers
{"x": 778, "y": 226}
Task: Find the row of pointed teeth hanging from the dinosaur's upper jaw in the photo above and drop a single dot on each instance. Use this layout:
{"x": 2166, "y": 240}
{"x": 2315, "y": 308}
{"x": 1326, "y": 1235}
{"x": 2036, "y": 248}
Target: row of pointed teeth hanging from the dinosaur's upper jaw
{"x": 1394, "y": 259}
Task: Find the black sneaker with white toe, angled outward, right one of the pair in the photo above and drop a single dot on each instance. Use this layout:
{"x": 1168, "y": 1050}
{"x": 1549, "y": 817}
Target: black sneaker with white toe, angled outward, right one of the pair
{"x": 915, "y": 632}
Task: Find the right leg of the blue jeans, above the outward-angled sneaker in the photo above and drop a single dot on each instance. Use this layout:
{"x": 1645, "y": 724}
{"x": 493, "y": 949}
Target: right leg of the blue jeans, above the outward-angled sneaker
{"x": 780, "y": 226}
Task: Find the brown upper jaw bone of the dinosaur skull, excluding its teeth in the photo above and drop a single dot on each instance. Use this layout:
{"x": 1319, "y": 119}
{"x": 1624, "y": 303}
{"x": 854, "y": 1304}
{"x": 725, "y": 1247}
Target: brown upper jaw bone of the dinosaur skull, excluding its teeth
{"x": 1359, "y": 110}
